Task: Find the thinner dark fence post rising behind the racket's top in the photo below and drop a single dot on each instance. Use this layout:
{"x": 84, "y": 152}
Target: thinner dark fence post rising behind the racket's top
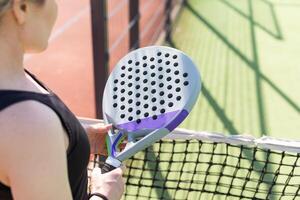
{"x": 134, "y": 18}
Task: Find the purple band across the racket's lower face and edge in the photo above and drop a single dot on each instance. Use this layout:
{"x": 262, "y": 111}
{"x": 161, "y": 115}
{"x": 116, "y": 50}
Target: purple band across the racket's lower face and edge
{"x": 161, "y": 121}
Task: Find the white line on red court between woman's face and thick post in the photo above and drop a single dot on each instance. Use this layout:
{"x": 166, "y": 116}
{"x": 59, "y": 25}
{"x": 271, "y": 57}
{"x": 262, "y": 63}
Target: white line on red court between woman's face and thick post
{"x": 73, "y": 20}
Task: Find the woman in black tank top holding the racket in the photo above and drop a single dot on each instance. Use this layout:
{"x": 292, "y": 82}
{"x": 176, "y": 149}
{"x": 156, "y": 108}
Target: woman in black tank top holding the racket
{"x": 44, "y": 151}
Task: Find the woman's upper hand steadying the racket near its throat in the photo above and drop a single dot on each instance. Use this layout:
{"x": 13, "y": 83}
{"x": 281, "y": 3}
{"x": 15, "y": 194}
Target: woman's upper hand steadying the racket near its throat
{"x": 96, "y": 134}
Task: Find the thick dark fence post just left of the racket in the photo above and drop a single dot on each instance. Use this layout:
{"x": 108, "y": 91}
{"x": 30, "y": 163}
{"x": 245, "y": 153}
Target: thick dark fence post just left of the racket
{"x": 100, "y": 50}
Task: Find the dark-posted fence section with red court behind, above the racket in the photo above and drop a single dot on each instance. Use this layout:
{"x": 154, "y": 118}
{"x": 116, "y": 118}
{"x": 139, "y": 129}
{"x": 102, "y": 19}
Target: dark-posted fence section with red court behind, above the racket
{"x": 135, "y": 23}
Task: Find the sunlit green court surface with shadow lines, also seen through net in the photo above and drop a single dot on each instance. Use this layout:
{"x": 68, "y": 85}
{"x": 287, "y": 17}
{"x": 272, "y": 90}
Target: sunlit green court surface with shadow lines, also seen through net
{"x": 248, "y": 52}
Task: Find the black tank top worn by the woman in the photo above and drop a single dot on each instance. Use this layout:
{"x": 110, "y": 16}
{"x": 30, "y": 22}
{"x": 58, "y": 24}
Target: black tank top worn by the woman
{"x": 79, "y": 148}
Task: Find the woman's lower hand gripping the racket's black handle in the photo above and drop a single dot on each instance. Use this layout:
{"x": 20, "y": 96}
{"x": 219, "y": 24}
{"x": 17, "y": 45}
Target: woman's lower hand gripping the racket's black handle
{"x": 110, "y": 184}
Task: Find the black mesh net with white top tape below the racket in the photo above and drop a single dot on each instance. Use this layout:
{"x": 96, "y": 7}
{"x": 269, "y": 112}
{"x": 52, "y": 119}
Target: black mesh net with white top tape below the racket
{"x": 201, "y": 165}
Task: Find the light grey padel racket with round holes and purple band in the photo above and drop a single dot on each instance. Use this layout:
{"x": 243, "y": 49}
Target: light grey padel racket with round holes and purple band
{"x": 148, "y": 94}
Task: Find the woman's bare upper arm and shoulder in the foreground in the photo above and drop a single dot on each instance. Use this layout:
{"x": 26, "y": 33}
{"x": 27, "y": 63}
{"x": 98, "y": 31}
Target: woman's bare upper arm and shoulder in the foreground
{"x": 33, "y": 152}
